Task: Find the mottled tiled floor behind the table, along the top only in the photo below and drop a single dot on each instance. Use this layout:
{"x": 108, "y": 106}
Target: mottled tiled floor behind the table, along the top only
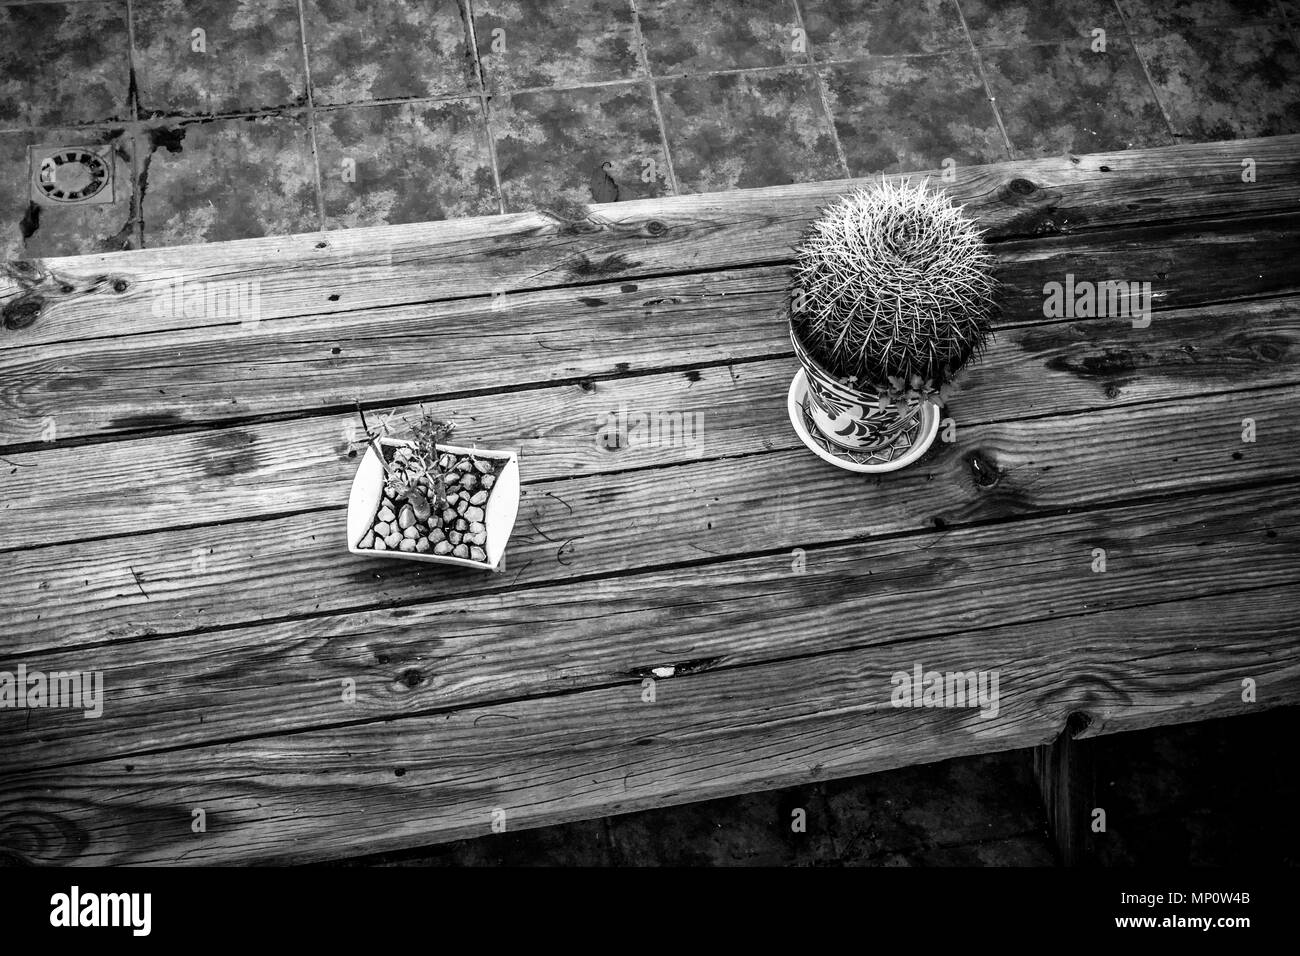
{"x": 244, "y": 119}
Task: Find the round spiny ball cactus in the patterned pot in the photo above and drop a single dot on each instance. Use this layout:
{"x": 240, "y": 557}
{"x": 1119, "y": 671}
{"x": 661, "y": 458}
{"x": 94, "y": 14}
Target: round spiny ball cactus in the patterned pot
{"x": 894, "y": 289}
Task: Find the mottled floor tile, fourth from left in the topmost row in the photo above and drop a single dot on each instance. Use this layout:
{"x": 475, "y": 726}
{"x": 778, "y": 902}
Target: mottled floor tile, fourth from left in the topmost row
{"x": 527, "y": 45}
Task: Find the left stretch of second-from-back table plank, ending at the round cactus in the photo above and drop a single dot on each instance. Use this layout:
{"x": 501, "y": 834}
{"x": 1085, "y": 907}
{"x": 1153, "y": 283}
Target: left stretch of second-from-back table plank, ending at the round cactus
{"x": 388, "y": 356}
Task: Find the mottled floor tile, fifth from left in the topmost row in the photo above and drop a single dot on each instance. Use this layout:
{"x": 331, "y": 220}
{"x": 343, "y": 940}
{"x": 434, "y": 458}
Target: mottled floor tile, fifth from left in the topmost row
{"x": 704, "y": 36}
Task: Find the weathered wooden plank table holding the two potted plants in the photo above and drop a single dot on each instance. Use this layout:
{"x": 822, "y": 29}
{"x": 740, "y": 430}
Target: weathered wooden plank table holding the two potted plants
{"x": 175, "y": 483}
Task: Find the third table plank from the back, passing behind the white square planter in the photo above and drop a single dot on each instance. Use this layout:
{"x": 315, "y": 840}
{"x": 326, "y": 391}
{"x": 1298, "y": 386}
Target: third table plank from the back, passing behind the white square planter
{"x": 276, "y": 468}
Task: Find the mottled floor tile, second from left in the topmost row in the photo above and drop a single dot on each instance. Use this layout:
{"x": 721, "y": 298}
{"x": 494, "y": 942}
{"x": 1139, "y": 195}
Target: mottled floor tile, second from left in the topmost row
{"x": 201, "y": 58}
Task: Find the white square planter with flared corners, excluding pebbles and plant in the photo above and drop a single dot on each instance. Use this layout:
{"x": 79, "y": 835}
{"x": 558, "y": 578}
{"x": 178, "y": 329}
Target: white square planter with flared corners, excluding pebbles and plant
{"x": 499, "y": 514}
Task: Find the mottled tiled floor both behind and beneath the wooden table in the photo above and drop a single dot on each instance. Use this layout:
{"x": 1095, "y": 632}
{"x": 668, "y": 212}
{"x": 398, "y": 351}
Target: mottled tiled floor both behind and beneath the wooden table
{"x": 228, "y": 120}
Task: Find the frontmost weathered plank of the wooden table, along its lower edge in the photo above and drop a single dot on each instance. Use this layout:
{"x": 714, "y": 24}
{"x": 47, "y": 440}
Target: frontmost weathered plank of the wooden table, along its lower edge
{"x": 423, "y": 780}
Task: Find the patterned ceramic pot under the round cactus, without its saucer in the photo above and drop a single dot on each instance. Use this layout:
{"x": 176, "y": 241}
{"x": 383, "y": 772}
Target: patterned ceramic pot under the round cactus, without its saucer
{"x": 847, "y": 417}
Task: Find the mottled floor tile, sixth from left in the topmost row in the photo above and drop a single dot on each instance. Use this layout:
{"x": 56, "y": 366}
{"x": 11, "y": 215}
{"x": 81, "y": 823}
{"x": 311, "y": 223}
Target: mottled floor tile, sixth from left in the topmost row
{"x": 852, "y": 29}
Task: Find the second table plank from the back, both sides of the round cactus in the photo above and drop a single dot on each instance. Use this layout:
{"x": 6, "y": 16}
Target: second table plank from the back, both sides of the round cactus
{"x": 73, "y": 390}
